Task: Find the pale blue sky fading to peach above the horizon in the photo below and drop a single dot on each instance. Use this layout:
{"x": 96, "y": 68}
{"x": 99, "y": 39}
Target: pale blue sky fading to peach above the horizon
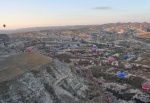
{"x": 37, "y": 13}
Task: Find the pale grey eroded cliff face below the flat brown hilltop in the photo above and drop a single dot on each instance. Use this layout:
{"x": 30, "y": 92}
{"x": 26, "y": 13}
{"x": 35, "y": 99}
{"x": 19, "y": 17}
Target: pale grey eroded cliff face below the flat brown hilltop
{"x": 52, "y": 83}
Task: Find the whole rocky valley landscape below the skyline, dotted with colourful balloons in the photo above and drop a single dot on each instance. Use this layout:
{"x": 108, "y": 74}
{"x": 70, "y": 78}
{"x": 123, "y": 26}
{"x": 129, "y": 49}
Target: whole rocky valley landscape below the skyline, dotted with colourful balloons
{"x": 79, "y": 63}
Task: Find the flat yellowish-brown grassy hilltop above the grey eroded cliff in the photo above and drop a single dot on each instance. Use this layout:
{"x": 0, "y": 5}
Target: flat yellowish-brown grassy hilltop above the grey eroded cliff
{"x": 15, "y": 65}
